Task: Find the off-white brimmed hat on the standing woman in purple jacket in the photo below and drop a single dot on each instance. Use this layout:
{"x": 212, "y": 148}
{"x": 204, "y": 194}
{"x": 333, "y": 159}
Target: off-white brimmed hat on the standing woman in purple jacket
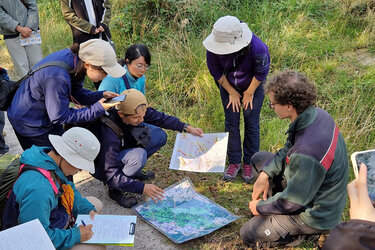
{"x": 229, "y": 35}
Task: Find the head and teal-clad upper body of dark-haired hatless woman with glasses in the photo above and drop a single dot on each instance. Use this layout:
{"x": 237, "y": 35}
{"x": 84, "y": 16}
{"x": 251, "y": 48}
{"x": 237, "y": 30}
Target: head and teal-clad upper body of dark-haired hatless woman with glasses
{"x": 136, "y": 62}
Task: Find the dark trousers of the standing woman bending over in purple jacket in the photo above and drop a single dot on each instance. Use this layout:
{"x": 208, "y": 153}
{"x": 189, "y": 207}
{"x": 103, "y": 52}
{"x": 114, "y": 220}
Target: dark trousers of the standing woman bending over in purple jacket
{"x": 251, "y": 130}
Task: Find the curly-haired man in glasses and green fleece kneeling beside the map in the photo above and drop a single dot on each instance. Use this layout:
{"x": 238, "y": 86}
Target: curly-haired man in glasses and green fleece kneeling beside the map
{"x": 300, "y": 191}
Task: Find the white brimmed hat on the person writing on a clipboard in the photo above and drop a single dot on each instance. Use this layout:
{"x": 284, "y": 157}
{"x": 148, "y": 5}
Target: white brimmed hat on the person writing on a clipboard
{"x": 78, "y": 146}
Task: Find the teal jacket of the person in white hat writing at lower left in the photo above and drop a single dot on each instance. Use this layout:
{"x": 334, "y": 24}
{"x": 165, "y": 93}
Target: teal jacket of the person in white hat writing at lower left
{"x": 35, "y": 198}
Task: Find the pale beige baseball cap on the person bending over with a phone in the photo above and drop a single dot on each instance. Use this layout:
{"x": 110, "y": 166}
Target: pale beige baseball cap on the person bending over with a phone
{"x": 98, "y": 52}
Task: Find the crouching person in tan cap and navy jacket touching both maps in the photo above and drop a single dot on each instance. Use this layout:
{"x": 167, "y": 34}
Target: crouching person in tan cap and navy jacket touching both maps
{"x": 122, "y": 158}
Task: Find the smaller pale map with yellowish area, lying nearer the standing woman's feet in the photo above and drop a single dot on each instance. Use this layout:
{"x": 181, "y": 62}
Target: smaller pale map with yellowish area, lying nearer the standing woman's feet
{"x": 200, "y": 154}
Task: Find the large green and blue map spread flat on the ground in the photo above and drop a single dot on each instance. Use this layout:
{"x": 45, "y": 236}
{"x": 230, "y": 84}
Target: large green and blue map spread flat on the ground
{"x": 184, "y": 214}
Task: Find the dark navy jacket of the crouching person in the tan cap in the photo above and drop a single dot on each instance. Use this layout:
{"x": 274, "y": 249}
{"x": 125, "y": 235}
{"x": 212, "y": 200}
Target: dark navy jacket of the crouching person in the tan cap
{"x": 108, "y": 168}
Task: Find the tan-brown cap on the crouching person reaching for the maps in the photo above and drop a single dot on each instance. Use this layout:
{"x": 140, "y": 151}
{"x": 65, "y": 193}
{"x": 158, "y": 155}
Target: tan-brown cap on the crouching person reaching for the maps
{"x": 133, "y": 99}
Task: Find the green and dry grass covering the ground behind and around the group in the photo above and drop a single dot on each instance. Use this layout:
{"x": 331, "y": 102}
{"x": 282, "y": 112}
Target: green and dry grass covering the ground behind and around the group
{"x": 332, "y": 41}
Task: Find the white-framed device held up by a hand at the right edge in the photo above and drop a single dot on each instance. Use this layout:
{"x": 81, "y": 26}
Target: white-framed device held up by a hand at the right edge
{"x": 368, "y": 158}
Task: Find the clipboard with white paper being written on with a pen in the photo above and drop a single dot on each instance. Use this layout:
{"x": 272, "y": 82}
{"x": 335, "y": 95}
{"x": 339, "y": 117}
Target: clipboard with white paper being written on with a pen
{"x": 118, "y": 230}
